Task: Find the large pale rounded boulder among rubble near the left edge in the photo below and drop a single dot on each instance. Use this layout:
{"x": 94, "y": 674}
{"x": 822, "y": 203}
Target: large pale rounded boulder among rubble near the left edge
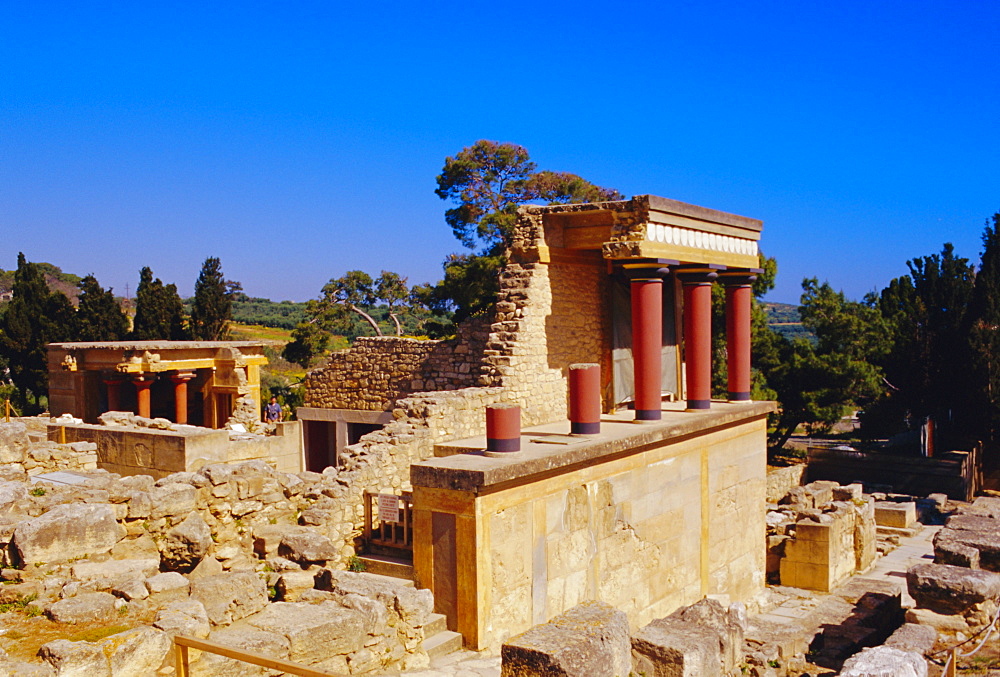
{"x": 67, "y": 531}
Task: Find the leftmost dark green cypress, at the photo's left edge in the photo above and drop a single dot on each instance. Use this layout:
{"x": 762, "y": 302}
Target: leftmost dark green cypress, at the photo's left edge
{"x": 35, "y": 317}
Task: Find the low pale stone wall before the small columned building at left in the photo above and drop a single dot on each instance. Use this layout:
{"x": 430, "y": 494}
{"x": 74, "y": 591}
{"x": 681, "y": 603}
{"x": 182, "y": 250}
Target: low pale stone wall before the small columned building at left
{"x": 157, "y": 452}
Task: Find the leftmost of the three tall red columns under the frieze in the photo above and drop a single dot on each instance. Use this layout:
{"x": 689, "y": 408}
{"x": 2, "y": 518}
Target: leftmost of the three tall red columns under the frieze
{"x": 647, "y": 343}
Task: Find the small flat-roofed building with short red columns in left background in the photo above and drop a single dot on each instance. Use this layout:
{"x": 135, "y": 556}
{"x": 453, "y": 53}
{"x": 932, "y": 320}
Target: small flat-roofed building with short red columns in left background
{"x": 193, "y": 382}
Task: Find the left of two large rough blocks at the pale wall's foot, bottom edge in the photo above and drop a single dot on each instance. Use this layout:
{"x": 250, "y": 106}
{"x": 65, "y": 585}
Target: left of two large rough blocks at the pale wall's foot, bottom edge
{"x": 589, "y": 640}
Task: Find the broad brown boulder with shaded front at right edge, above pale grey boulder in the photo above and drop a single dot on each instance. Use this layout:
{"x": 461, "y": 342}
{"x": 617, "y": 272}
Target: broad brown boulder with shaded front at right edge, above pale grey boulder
{"x": 949, "y": 589}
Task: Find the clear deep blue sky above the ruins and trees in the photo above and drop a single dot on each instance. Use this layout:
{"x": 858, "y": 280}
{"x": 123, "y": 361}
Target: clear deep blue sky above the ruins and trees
{"x": 296, "y": 141}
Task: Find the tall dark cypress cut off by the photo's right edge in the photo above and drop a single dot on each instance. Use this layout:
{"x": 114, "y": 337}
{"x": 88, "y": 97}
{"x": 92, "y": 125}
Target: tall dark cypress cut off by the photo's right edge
{"x": 984, "y": 337}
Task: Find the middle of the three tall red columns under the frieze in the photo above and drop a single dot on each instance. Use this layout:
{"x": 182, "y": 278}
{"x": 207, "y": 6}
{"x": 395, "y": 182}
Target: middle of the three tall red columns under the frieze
{"x": 698, "y": 337}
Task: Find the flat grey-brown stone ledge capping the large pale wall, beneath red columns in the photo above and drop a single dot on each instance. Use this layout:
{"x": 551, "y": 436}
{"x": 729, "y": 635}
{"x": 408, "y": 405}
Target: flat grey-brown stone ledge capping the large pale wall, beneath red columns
{"x": 544, "y": 452}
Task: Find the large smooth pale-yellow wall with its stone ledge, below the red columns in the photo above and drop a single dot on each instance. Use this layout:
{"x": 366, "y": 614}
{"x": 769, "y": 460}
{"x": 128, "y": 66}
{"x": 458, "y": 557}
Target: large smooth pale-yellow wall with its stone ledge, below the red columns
{"x": 645, "y": 518}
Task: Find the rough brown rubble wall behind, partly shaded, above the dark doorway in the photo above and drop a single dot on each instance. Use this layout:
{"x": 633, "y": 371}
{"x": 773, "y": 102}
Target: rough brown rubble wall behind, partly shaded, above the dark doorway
{"x": 377, "y": 370}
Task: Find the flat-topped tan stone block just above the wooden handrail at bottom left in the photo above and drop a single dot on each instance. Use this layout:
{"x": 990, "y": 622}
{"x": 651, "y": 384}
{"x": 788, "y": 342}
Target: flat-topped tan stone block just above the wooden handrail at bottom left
{"x": 314, "y": 631}
